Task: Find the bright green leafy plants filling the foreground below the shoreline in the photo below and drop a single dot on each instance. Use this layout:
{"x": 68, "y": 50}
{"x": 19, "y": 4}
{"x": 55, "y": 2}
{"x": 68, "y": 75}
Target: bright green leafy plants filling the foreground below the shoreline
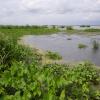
{"x": 49, "y": 82}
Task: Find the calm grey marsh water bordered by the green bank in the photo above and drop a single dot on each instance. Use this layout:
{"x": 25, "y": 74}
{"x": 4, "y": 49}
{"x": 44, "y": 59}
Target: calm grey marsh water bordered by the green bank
{"x": 67, "y": 46}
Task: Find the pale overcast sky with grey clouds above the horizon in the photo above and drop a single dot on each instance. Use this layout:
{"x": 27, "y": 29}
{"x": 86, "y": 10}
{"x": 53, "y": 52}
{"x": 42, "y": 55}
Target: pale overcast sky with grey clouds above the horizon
{"x": 67, "y": 12}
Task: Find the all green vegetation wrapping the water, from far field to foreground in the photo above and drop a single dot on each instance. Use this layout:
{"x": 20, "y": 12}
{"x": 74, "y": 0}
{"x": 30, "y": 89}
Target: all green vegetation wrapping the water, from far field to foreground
{"x": 24, "y": 77}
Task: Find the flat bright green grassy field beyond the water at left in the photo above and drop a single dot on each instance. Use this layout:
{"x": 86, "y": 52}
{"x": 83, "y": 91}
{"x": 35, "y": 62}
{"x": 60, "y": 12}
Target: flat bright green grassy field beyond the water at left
{"x": 14, "y": 32}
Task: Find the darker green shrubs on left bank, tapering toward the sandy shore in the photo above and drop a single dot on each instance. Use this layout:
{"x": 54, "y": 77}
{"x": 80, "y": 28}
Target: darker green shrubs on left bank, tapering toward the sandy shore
{"x": 10, "y": 51}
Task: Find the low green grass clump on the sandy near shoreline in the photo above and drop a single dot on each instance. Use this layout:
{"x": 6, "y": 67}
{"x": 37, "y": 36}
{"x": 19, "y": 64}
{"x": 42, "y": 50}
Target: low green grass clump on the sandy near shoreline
{"x": 53, "y": 55}
